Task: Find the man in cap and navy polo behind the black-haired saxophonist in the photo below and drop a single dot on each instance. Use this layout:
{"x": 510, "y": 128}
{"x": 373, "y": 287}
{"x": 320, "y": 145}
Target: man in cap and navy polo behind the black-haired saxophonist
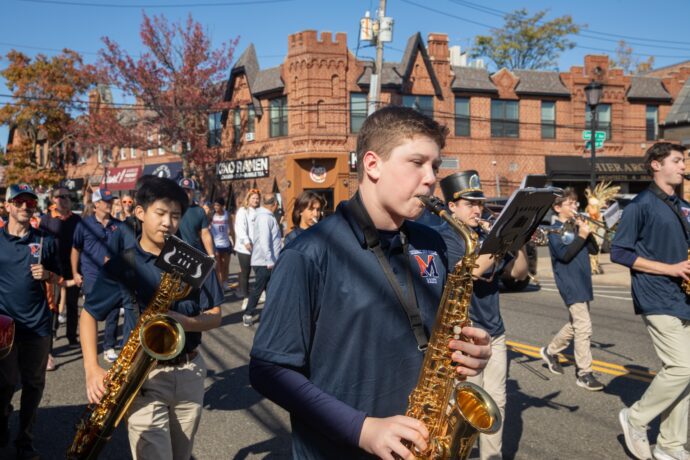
{"x": 89, "y": 252}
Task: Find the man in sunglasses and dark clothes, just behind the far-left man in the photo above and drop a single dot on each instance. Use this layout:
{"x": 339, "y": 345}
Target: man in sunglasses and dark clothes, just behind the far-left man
{"x": 61, "y": 223}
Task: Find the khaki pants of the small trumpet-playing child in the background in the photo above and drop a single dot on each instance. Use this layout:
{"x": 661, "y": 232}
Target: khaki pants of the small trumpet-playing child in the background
{"x": 578, "y": 328}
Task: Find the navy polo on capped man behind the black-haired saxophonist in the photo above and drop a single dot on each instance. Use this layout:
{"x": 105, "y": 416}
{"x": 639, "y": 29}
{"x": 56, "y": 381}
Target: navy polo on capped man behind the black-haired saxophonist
{"x": 91, "y": 239}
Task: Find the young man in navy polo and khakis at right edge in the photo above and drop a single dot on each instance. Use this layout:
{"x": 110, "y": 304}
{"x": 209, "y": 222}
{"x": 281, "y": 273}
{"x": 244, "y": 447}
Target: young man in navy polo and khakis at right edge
{"x": 652, "y": 241}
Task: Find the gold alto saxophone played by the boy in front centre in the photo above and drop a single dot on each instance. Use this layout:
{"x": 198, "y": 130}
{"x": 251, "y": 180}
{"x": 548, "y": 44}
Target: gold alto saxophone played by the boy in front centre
{"x": 453, "y": 410}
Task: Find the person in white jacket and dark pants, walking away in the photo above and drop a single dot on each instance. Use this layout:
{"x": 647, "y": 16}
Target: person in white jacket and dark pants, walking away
{"x": 267, "y": 246}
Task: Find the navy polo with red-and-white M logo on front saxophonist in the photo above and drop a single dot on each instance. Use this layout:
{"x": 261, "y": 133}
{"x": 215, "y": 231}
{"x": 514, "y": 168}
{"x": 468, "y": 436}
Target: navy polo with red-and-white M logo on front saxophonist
{"x": 332, "y": 315}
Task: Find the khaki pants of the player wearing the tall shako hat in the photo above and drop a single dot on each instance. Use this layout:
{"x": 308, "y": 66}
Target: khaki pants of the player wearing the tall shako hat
{"x": 493, "y": 380}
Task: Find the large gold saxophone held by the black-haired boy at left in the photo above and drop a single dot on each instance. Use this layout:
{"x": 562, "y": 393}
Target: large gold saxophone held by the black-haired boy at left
{"x": 156, "y": 336}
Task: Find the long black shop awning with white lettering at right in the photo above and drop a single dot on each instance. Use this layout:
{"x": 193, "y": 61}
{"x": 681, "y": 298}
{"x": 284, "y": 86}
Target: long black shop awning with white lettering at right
{"x": 574, "y": 168}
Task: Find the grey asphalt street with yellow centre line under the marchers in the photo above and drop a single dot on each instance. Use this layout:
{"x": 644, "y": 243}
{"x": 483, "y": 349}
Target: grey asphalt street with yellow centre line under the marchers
{"x": 547, "y": 416}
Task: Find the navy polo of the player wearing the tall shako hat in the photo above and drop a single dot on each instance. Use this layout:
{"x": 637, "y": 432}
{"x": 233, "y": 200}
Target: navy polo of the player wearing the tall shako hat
{"x": 485, "y": 307}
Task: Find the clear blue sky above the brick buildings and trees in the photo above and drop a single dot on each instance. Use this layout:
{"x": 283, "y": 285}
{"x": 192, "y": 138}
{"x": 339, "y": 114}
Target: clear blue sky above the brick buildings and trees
{"x": 46, "y": 26}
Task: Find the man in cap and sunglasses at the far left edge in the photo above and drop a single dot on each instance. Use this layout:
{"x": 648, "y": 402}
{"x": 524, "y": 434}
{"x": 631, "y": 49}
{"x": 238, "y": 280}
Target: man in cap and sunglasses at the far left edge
{"x": 33, "y": 258}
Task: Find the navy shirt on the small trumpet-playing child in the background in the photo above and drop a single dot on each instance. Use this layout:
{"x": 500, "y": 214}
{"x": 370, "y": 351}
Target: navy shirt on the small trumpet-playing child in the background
{"x": 573, "y": 278}
